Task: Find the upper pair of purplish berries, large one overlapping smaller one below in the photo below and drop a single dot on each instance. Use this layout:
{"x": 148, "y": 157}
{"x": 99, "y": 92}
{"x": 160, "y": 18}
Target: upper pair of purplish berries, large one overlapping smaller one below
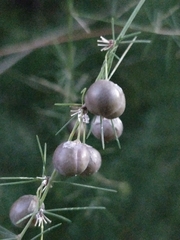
{"x": 107, "y": 101}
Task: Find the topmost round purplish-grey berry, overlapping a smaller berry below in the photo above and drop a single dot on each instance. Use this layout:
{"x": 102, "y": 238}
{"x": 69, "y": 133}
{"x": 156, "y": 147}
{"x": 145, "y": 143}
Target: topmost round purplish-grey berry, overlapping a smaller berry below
{"x": 105, "y": 98}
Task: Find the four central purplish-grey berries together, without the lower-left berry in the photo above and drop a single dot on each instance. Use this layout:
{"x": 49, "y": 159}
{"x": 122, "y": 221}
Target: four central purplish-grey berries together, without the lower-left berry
{"x": 107, "y": 101}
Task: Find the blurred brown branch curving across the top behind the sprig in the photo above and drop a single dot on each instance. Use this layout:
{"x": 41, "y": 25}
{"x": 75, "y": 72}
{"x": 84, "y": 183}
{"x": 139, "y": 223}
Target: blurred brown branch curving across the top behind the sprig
{"x": 80, "y": 35}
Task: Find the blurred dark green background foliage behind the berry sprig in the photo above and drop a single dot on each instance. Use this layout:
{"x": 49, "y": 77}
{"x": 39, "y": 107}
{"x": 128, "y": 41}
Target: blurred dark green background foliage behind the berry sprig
{"x": 48, "y": 54}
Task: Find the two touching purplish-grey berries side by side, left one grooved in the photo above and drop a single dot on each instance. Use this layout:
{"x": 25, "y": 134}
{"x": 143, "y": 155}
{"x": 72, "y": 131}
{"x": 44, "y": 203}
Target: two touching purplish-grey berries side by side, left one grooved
{"x": 73, "y": 158}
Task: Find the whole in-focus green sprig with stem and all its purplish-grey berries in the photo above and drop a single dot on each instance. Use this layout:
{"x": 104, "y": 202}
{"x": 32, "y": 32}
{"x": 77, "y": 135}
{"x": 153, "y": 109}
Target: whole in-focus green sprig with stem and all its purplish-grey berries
{"x": 106, "y": 101}
